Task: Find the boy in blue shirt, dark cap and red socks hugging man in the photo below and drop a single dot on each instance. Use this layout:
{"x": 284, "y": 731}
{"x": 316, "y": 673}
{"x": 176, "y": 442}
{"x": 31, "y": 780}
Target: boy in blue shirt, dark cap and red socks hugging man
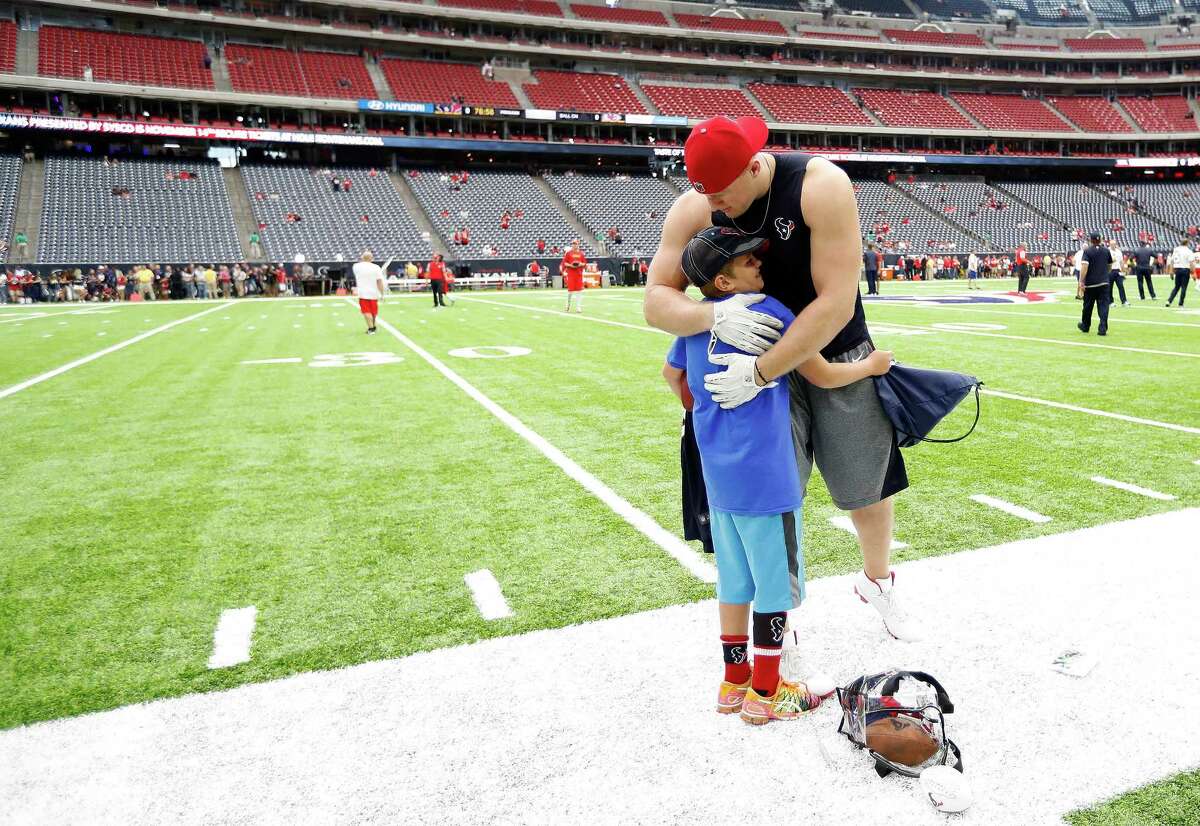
{"x": 753, "y": 483}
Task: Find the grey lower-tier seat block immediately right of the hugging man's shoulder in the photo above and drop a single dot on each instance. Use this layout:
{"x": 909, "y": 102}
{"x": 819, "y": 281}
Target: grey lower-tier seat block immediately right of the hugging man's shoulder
{"x": 910, "y": 228}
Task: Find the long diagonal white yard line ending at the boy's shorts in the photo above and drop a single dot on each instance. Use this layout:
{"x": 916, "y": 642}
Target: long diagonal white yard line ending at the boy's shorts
{"x": 670, "y": 543}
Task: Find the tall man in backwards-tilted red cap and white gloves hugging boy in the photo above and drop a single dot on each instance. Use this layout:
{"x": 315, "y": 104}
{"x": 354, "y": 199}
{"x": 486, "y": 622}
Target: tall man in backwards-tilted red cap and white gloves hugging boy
{"x": 806, "y": 207}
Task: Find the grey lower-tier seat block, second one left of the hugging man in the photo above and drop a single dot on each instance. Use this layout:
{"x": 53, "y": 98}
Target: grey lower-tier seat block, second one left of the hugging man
{"x": 479, "y": 205}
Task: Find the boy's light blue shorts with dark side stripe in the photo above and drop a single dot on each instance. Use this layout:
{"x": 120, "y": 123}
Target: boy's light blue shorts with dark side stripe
{"x": 759, "y": 560}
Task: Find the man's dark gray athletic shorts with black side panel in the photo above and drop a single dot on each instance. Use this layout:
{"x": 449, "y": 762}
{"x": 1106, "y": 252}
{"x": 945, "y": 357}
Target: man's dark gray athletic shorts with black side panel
{"x": 850, "y": 436}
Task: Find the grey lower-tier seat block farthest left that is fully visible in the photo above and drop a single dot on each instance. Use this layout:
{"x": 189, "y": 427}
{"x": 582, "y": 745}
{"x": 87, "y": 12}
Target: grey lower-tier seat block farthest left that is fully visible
{"x": 161, "y": 222}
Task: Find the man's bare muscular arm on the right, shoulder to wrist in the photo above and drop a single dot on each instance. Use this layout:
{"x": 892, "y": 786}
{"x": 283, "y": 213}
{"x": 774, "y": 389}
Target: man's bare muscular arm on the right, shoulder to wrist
{"x": 831, "y": 212}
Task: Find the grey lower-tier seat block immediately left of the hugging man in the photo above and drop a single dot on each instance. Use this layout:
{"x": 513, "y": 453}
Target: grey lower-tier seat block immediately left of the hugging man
{"x": 623, "y": 202}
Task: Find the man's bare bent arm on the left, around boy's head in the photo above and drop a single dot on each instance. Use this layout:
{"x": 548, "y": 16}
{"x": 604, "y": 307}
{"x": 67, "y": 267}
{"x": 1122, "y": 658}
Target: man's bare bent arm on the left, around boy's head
{"x": 665, "y": 306}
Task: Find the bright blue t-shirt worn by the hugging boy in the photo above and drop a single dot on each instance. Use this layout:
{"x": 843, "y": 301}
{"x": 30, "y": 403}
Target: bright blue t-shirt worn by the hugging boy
{"x": 747, "y": 453}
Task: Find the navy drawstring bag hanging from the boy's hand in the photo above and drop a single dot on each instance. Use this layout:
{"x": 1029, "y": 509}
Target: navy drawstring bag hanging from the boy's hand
{"x": 917, "y": 399}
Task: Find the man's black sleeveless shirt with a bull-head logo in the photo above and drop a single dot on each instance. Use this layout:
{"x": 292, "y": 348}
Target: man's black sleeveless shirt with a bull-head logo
{"x": 787, "y": 265}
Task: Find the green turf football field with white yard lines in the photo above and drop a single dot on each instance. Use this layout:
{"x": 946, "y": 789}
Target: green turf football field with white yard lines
{"x": 170, "y": 463}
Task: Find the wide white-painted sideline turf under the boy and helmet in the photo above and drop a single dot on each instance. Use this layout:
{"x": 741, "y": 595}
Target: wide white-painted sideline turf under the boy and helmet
{"x": 376, "y": 744}
